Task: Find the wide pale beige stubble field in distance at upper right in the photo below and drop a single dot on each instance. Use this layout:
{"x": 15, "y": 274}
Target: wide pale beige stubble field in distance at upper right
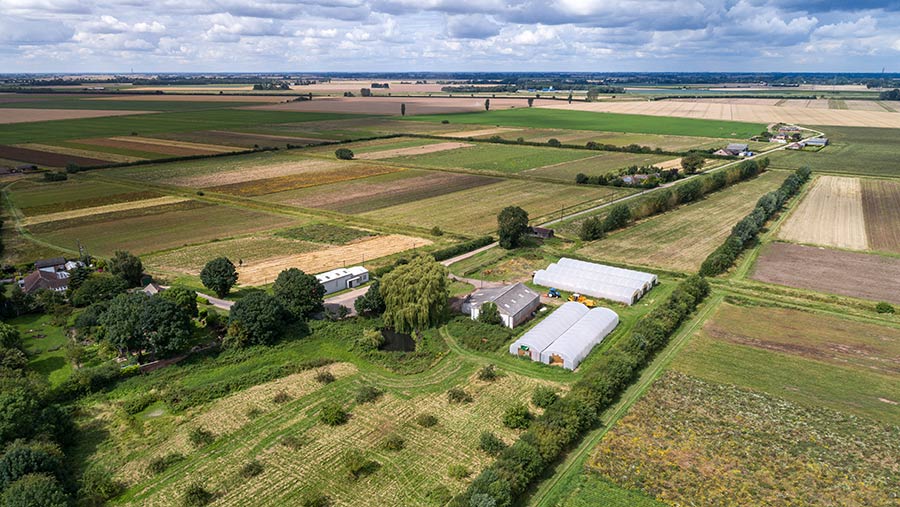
{"x": 753, "y": 113}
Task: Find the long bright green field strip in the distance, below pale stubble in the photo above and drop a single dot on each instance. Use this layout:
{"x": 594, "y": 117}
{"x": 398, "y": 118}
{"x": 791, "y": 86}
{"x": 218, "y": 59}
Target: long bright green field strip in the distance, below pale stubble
{"x": 607, "y": 122}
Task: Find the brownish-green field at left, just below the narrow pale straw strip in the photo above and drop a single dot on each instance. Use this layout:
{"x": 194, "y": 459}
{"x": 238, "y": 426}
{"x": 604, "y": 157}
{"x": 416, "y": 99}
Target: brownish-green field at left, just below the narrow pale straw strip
{"x": 142, "y": 231}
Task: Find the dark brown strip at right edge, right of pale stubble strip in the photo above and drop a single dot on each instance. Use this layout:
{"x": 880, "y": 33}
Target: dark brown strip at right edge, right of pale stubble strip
{"x": 881, "y": 207}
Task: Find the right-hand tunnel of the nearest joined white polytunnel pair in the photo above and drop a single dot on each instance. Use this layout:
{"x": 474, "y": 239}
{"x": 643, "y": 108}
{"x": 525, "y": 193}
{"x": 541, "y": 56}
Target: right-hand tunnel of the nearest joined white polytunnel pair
{"x": 576, "y": 343}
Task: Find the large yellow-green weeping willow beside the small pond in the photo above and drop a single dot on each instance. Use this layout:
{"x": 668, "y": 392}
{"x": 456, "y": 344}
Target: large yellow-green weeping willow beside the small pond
{"x": 415, "y": 295}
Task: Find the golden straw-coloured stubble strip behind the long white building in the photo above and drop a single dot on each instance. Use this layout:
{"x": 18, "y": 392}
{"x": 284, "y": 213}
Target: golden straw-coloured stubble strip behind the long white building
{"x": 265, "y": 271}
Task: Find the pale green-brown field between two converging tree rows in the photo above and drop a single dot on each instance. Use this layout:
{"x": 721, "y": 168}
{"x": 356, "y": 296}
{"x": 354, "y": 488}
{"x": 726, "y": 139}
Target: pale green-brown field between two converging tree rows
{"x": 682, "y": 238}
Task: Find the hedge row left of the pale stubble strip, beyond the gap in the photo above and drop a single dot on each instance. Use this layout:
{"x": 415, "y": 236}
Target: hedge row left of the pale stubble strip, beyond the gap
{"x": 745, "y": 231}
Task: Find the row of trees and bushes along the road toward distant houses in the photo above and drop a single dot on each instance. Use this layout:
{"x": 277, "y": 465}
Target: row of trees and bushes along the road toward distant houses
{"x": 622, "y": 214}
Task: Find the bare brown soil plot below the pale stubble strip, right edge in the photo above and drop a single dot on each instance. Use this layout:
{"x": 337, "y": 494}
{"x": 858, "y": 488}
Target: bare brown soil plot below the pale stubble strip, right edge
{"x": 860, "y": 275}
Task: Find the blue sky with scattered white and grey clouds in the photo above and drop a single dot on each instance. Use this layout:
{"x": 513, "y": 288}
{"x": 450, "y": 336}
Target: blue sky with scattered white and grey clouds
{"x": 448, "y": 35}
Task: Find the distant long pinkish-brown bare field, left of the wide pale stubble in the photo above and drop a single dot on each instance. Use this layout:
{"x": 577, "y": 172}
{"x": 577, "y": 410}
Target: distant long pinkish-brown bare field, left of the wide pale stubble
{"x": 391, "y": 105}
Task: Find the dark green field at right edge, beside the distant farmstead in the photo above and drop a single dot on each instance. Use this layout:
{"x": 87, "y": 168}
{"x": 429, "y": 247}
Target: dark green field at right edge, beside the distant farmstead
{"x": 853, "y": 150}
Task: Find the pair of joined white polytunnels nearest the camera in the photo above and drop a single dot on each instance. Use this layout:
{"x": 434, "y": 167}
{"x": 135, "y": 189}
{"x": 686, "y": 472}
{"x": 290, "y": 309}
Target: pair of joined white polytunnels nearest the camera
{"x": 567, "y": 336}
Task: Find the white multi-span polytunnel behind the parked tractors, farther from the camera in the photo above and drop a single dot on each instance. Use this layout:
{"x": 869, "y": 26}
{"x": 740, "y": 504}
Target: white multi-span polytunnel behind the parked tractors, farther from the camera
{"x": 596, "y": 280}
